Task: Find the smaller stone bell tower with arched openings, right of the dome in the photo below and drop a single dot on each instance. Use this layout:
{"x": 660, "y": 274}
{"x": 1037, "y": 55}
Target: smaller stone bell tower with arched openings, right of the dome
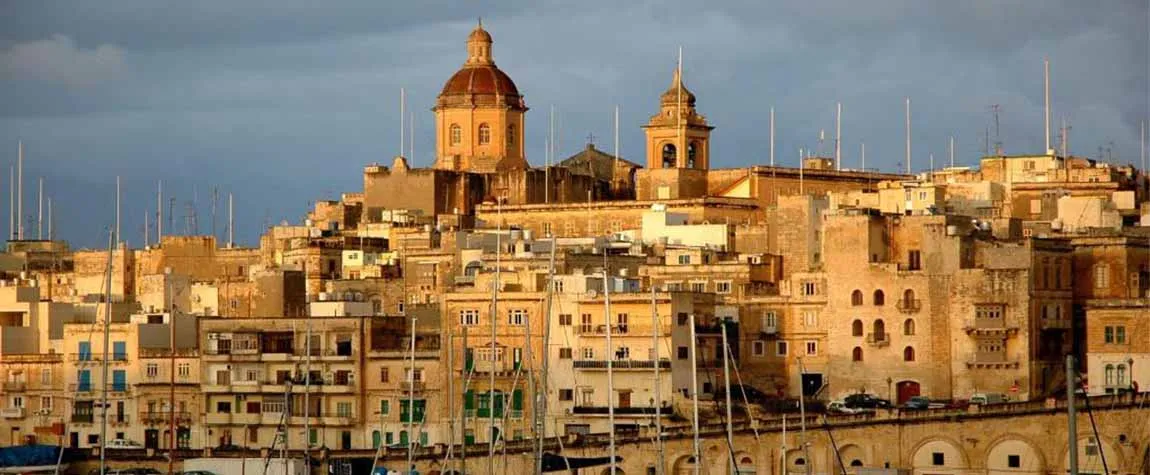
{"x": 678, "y": 137}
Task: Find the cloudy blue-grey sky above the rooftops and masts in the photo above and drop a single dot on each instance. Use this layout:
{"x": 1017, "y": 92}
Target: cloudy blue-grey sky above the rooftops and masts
{"x": 281, "y": 103}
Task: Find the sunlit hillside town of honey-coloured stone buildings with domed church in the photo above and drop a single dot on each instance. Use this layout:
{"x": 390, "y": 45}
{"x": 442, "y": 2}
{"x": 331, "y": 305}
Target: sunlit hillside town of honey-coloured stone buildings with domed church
{"x": 484, "y": 309}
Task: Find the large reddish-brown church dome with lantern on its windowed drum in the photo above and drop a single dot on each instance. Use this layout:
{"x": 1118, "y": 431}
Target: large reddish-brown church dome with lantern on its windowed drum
{"x": 480, "y": 114}
